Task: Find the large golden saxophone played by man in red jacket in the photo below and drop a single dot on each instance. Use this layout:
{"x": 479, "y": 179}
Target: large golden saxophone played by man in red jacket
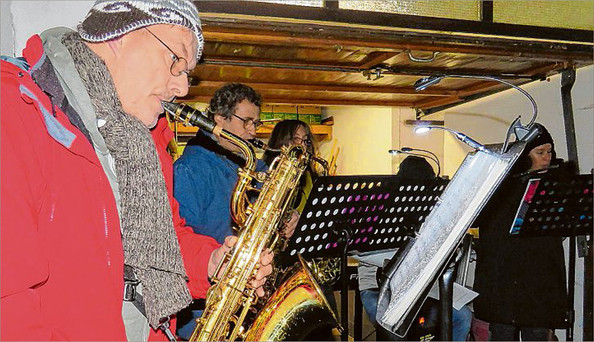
{"x": 298, "y": 306}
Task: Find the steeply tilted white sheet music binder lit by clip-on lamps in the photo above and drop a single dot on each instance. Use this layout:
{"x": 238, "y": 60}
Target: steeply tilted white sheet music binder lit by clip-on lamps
{"x": 442, "y": 231}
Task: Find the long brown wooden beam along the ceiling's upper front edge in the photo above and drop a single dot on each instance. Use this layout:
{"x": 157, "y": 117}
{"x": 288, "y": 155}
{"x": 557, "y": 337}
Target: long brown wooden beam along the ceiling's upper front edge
{"x": 308, "y": 36}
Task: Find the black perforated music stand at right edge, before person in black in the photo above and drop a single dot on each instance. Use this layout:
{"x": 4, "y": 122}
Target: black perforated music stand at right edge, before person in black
{"x": 557, "y": 205}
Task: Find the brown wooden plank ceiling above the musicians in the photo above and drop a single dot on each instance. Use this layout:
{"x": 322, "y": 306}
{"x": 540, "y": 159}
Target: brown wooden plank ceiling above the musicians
{"x": 328, "y": 56}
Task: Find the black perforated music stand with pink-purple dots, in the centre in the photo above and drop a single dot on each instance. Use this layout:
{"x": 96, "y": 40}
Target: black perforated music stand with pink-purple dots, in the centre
{"x": 360, "y": 213}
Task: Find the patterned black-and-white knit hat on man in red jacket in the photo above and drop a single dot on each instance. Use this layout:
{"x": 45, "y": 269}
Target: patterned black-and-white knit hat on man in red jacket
{"x": 109, "y": 19}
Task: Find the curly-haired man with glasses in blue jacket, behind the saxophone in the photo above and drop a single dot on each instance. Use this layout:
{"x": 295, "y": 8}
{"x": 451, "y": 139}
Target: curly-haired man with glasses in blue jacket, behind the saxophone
{"x": 206, "y": 174}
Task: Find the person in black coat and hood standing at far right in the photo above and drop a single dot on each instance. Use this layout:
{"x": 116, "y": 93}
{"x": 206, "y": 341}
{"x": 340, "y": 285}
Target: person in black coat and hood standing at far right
{"x": 520, "y": 281}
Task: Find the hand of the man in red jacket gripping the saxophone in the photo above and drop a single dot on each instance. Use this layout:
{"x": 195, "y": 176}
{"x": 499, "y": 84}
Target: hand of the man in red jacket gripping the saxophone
{"x": 264, "y": 265}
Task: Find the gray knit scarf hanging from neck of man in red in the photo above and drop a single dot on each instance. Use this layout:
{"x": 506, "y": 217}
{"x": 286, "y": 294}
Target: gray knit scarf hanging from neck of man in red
{"x": 149, "y": 239}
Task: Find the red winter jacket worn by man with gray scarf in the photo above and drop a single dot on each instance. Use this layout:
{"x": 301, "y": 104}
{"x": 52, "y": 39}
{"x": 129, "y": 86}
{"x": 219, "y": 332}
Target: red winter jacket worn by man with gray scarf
{"x": 61, "y": 251}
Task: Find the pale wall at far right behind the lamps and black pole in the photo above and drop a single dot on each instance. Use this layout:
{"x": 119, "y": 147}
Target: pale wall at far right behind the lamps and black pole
{"x": 487, "y": 119}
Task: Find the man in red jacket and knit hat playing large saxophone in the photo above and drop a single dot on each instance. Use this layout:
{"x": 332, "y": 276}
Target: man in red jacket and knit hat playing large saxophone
{"x": 87, "y": 183}
